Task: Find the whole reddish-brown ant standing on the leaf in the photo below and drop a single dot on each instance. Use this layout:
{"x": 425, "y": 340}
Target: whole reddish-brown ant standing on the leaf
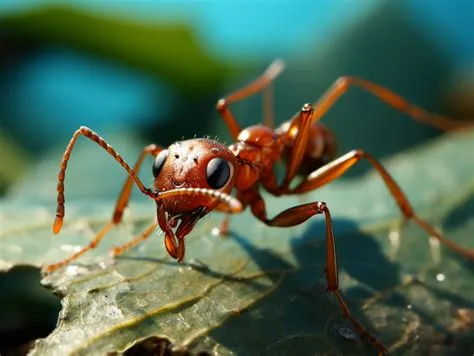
{"x": 194, "y": 177}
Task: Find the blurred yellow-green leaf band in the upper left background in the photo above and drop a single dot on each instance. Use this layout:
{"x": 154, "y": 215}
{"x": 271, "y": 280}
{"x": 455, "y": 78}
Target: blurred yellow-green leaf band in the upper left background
{"x": 169, "y": 52}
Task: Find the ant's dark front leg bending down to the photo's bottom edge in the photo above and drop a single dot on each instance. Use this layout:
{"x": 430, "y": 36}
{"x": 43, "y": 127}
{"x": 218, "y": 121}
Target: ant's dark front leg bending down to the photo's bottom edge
{"x": 299, "y": 214}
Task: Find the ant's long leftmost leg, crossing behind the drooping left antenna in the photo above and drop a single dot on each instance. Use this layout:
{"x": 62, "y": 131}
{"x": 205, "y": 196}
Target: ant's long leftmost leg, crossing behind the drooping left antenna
{"x": 120, "y": 206}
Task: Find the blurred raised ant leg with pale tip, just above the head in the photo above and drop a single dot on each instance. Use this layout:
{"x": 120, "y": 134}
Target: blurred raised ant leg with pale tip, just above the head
{"x": 254, "y": 87}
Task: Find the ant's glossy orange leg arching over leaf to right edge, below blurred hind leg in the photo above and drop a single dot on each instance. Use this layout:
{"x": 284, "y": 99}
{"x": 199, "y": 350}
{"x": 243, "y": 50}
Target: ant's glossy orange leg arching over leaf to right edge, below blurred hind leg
{"x": 338, "y": 167}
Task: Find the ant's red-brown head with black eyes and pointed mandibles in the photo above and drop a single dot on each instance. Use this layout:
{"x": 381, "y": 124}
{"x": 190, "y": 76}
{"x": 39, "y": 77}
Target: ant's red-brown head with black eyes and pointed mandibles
{"x": 192, "y": 169}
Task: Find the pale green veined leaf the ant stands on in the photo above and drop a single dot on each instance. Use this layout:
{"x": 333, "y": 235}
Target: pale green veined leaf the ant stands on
{"x": 260, "y": 291}
